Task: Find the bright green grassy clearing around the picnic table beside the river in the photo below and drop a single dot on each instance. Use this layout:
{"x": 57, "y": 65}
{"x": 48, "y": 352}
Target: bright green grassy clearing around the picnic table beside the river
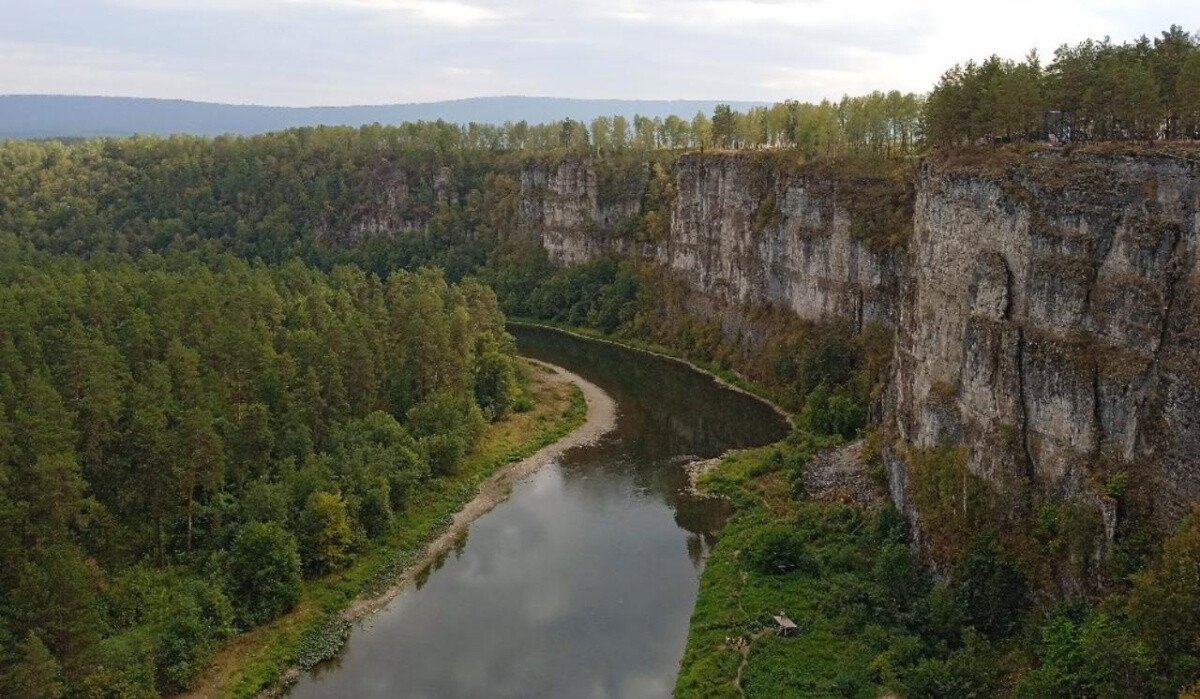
{"x": 839, "y": 637}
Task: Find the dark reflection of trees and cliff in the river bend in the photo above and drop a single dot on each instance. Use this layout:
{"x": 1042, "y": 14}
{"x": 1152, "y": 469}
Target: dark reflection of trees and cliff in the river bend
{"x": 665, "y": 411}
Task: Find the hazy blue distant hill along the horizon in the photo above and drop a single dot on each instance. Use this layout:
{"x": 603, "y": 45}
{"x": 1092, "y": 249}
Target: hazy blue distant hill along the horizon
{"x": 71, "y": 116}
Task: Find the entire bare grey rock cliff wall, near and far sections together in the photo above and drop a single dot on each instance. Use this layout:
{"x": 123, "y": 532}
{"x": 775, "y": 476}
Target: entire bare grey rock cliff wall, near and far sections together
{"x": 1045, "y": 307}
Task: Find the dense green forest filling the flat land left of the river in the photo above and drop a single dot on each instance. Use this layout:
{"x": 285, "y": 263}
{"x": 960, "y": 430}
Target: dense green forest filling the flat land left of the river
{"x": 274, "y": 420}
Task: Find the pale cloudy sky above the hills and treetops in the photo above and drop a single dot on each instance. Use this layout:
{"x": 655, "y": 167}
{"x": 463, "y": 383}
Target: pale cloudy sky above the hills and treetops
{"x": 369, "y": 52}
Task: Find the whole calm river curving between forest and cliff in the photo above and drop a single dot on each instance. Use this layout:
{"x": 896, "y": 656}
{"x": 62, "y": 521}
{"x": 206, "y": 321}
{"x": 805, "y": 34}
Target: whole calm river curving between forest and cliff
{"x": 583, "y": 583}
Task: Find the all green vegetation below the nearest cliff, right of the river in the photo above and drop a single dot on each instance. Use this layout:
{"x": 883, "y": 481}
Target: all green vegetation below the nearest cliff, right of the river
{"x": 874, "y": 620}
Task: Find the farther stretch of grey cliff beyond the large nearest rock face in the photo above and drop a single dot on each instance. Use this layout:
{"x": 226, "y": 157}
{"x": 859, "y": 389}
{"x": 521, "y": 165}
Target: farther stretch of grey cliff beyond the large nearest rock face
{"x": 742, "y": 232}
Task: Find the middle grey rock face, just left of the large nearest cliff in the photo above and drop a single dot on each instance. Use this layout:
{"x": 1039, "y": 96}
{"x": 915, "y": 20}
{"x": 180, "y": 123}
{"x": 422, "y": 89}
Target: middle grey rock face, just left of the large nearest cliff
{"x": 749, "y": 235}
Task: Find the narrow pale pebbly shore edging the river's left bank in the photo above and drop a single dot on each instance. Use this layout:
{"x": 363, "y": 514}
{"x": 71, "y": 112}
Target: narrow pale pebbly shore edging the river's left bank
{"x": 602, "y": 419}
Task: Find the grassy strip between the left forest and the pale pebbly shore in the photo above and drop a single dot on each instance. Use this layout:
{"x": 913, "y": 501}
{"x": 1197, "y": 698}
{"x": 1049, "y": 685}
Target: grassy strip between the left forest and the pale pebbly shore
{"x": 256, "y": 660}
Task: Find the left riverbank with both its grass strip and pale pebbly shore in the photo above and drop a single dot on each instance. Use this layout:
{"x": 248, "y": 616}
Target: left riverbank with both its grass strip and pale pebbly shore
{"x": 568, "y": 411}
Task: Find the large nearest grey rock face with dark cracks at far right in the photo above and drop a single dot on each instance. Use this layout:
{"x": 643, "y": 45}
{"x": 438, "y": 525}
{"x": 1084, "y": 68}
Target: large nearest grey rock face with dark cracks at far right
{"x": 1049, "y": 324}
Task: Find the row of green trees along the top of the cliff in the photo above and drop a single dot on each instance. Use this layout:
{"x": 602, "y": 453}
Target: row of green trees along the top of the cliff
{"x": 1095, "y": 91}
